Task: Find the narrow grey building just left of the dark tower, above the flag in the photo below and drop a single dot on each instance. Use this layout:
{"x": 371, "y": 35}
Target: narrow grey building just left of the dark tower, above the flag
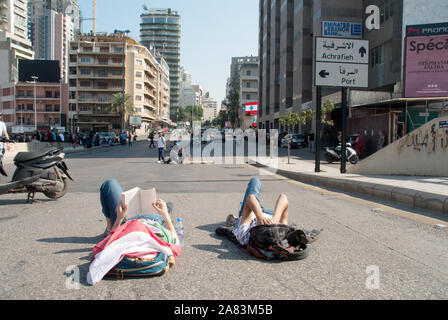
{"x": 248, "y": 92}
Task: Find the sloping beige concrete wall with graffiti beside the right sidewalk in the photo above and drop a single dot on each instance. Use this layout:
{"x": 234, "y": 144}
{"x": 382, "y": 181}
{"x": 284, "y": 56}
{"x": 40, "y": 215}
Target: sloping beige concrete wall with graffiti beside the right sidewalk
{"x": 423, "y": 152}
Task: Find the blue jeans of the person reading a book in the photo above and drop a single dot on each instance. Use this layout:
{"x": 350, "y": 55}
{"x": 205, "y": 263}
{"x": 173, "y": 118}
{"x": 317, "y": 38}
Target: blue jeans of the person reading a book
{"x": 110, "y": 197}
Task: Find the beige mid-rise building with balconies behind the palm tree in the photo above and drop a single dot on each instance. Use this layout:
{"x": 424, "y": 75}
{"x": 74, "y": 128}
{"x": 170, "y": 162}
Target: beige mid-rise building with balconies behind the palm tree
{"x": 100, "y": 67}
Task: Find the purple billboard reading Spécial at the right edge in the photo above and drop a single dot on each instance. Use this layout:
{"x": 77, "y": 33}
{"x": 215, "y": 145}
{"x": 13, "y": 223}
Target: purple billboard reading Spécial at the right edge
{"x": 426, "y": 66}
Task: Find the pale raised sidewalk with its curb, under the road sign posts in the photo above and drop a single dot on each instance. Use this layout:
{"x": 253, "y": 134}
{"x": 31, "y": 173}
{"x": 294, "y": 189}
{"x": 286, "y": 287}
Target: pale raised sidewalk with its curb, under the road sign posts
{"x": 429, "y": 193}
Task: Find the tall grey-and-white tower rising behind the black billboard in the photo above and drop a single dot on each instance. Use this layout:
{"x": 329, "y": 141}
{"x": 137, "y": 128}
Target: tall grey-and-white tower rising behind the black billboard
{"x": 52, "y": 25}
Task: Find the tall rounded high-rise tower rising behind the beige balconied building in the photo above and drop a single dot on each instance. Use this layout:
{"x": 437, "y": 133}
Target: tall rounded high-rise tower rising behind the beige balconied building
{"x": 161, "y": 29}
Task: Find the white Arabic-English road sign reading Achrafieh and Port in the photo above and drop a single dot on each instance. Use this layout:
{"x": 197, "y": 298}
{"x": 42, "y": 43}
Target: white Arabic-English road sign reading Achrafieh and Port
{"x": 342, "y": 62}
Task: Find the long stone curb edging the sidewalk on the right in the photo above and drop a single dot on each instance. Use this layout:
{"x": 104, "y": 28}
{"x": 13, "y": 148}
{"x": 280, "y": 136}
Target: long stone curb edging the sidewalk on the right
{"x": 406, "y": 197}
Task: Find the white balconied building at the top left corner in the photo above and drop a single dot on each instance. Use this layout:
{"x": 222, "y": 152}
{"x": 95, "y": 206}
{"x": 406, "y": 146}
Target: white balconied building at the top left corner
{"x": 14, "y": 43}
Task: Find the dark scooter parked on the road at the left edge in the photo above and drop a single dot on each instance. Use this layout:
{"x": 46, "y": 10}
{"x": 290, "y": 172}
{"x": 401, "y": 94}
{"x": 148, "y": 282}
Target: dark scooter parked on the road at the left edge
{"x": 43, "y": 171}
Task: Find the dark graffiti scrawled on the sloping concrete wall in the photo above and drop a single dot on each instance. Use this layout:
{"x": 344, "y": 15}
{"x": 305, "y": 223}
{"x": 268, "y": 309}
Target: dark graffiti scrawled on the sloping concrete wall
{"x": 433, "y": 139}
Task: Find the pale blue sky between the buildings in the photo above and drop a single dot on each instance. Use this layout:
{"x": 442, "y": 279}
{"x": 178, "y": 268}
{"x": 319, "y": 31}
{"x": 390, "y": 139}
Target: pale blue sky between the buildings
{"x": 212, "y": 32}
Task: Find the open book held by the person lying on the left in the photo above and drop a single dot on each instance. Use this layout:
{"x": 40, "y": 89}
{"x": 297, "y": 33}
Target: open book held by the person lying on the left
{"x": 139, "y": 201}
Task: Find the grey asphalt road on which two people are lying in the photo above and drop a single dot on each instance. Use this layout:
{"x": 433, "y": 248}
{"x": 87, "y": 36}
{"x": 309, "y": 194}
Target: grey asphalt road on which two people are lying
{"x": 43, "y": 242}
